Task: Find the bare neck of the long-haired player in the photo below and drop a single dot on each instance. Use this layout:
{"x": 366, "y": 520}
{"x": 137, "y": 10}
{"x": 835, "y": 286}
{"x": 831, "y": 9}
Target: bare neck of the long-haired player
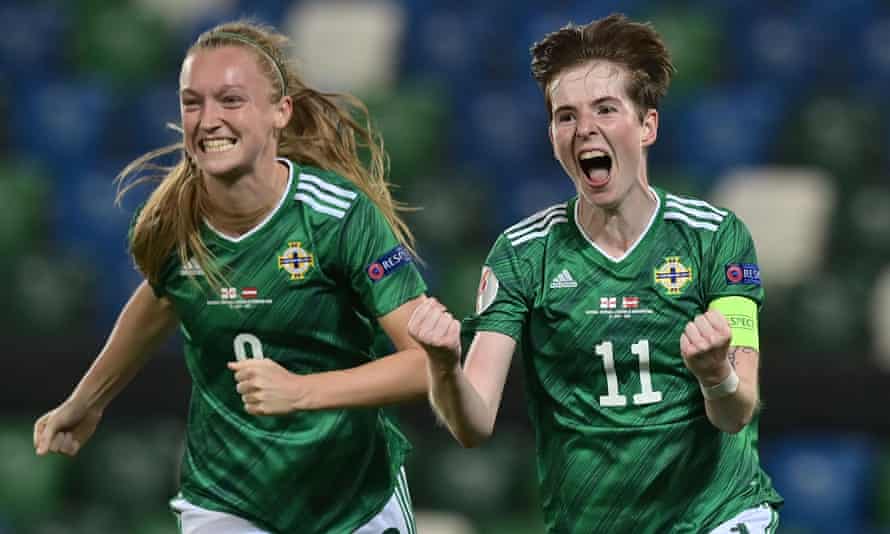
{"x": 237, "y": 206}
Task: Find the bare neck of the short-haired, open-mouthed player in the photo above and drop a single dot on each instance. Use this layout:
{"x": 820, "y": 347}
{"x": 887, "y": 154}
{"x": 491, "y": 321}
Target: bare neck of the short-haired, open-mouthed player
{"x": 616, "y": 228}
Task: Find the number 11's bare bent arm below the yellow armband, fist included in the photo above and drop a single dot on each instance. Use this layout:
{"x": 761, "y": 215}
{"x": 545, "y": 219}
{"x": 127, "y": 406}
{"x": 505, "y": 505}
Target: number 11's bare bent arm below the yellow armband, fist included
{"x": 707, "y": 353}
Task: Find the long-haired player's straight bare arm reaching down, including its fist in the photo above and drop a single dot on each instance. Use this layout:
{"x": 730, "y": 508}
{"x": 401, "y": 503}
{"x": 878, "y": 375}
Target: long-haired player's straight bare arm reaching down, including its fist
{"x": 143, "y": 323}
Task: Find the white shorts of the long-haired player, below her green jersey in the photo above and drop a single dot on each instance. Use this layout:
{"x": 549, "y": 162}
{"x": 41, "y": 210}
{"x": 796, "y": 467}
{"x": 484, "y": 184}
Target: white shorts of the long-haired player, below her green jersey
{"x": 396, "y": 515}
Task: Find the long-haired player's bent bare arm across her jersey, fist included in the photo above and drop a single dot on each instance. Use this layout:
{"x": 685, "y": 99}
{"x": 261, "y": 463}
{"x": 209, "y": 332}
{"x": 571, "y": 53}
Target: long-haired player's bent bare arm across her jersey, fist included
{"x": 267, "y": 388}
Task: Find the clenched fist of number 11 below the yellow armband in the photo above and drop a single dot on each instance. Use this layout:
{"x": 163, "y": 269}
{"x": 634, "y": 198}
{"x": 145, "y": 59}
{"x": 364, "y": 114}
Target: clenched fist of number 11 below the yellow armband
{"x": 704, "y": 345}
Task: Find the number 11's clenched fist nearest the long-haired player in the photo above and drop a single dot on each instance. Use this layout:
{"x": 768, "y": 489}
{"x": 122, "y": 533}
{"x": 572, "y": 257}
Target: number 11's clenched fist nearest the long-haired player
{"x": 437, "y": 331}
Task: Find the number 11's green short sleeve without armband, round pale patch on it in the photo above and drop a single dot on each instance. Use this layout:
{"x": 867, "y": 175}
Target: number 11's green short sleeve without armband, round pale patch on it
{"x": 502, "y": 299}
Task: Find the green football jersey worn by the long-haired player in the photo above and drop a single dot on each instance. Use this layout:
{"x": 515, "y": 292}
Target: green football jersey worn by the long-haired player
{"x": 304, "y": 288}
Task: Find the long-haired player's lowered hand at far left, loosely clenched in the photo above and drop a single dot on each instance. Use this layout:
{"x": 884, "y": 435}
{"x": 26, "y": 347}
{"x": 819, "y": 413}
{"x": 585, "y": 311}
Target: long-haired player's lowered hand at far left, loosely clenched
{"x": 65, "y": 429}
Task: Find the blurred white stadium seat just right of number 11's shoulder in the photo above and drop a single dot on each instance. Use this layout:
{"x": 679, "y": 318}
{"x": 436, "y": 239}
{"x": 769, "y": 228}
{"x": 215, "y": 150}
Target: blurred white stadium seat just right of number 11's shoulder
{"x": 788, "y": 211}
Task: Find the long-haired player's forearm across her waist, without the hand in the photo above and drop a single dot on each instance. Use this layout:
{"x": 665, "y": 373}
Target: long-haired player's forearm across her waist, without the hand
{"x": 392, "y": 379}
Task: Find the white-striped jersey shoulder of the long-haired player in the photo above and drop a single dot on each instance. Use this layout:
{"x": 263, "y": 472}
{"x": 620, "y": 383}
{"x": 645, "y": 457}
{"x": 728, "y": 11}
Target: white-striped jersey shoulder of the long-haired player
{"x": 325, "y": 194}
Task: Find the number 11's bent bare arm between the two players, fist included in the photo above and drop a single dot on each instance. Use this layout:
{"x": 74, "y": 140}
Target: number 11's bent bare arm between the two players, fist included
{"x": 465, "y": 399}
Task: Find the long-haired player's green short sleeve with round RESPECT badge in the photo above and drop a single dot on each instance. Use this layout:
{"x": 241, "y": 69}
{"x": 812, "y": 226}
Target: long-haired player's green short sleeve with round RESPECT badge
{"x": 380, "y": 270}
